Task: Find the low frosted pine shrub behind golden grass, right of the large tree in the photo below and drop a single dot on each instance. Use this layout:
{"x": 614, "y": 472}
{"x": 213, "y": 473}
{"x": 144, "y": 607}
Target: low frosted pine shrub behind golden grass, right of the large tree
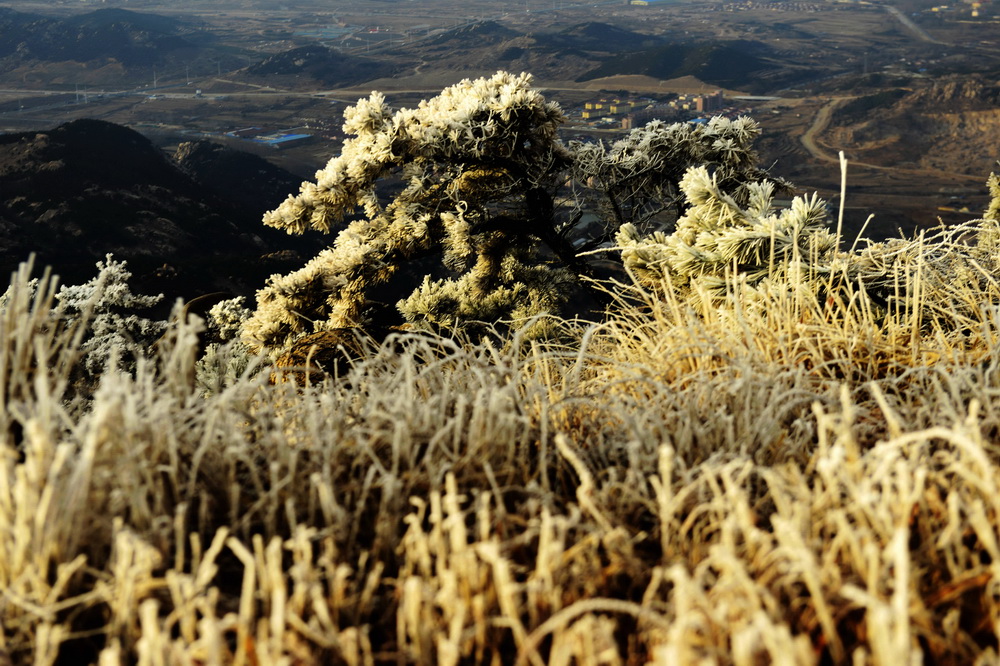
{"x": 721, "y": 246}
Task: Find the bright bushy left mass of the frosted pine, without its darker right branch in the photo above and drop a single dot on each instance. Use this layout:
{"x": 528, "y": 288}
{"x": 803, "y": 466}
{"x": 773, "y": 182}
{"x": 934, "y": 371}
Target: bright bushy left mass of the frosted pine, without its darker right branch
{"x": 475, "y": 164}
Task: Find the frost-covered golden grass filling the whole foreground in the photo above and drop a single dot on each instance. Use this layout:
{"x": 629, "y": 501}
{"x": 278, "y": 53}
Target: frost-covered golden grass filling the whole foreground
{"x": 787, "y": 479}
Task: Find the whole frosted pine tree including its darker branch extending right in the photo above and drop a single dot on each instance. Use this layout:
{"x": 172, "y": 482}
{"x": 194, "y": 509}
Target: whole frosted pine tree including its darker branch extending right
{"x": 476, "y": 181}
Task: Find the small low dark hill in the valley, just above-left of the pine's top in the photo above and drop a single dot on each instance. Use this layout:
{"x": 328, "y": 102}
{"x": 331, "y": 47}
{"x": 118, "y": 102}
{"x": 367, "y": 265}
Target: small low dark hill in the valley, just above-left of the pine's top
{"x": 321, "y": 65}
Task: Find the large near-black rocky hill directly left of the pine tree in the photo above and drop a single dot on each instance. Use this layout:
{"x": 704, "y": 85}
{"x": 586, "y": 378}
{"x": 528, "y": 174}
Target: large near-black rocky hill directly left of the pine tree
{"x": 86, "y": 188}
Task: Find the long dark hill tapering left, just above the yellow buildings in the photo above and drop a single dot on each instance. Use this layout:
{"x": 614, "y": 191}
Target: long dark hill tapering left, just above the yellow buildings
{"x": 728, "y": 65}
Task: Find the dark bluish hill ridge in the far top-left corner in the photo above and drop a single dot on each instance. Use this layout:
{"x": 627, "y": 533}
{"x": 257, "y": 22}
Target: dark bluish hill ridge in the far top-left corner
{"x": 129, "y": 38}
